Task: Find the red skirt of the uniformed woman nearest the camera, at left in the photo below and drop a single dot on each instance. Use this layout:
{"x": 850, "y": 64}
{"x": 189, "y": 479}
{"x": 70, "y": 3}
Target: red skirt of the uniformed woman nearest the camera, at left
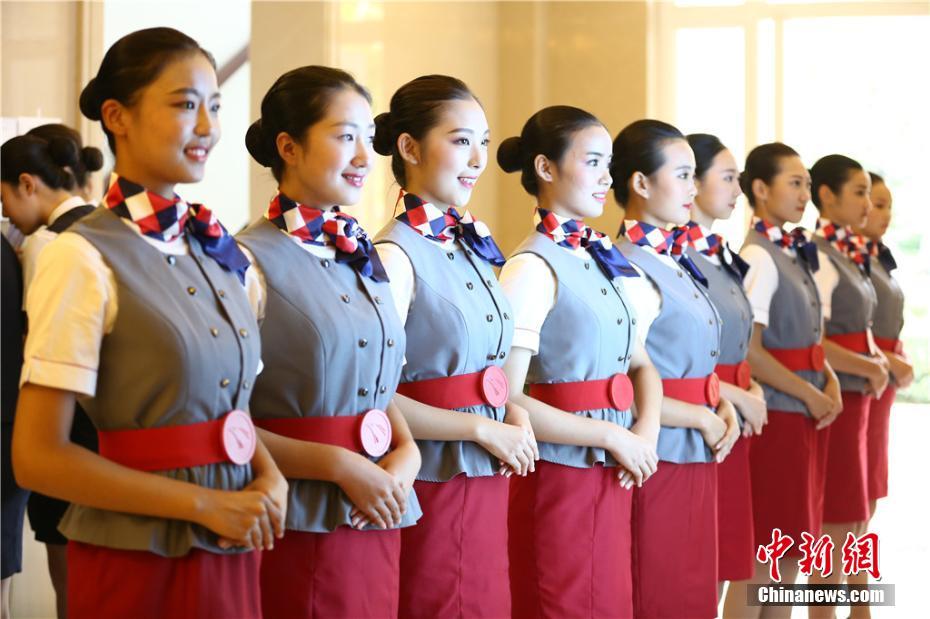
{"x": 105, "y": 583}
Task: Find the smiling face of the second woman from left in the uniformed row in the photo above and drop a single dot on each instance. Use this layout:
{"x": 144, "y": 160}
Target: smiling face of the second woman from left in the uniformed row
{"x": 328, "y": 167}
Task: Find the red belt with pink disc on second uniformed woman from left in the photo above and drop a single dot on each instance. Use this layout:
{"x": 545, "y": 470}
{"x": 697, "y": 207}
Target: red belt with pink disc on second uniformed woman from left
{"x": 368, "y": 433}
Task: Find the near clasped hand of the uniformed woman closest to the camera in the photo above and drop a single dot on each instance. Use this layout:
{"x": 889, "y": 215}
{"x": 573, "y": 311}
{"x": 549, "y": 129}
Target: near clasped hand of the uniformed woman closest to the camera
{"x": 238, "y": 517}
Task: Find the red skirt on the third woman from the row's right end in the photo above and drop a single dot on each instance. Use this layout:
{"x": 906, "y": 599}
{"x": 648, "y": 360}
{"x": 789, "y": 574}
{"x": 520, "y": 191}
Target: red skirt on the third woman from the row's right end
{"x": 786, "y": 463}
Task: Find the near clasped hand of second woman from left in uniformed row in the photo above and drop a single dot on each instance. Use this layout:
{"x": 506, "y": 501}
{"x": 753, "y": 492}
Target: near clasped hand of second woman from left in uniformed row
{"x": 377, "y": 495}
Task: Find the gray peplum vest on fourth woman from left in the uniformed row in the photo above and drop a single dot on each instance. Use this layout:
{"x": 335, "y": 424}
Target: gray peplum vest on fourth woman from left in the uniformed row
{"x": 588, "y": 335}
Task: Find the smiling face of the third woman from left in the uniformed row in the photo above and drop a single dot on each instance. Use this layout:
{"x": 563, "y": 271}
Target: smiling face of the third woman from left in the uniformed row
{"x": 444, "y": 166}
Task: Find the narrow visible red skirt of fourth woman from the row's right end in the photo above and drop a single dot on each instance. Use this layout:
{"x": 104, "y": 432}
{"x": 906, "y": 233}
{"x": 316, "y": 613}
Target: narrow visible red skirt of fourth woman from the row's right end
{"x": 735, "y": 536}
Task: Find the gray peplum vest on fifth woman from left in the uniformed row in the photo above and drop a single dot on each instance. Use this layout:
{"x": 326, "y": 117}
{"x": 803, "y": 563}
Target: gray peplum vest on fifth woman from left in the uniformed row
{"x": 683, "y": 342}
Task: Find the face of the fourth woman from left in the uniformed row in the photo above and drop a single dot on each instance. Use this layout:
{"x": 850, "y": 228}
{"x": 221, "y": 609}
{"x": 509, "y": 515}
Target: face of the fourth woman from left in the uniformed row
{"x": 576, "y": 186}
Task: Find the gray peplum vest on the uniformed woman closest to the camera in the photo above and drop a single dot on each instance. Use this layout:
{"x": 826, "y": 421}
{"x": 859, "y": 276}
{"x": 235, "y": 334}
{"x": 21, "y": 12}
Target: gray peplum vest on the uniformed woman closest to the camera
{"x": 183, "y": 350}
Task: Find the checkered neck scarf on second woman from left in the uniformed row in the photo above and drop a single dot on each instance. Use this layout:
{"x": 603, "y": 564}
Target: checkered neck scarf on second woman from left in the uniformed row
{"x": 332, "y": 228}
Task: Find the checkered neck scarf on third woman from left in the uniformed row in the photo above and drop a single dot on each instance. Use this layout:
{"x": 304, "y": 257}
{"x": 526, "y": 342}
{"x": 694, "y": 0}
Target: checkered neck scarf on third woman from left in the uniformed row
{"x": 428, "y": 220}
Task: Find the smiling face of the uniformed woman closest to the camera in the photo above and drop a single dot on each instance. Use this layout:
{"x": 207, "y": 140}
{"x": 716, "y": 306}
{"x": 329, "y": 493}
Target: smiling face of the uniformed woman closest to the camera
{"x": 164, "y": 137}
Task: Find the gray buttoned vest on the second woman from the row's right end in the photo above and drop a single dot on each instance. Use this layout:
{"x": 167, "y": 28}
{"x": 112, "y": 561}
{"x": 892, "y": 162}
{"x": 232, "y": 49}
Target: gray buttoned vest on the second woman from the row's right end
{"x": 853, "y": 306}
